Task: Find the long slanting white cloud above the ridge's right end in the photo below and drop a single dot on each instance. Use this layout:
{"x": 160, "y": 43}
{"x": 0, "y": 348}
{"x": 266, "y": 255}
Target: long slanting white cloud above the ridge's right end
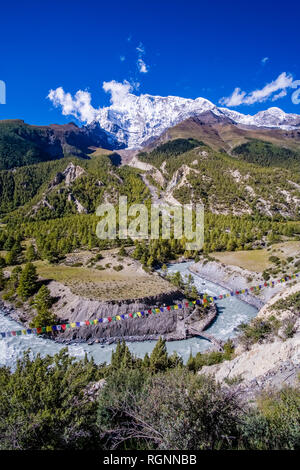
{"x": 238, "y": 97}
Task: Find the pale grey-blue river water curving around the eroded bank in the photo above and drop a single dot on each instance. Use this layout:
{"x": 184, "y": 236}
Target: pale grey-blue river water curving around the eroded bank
{"x": 231, "y": 313}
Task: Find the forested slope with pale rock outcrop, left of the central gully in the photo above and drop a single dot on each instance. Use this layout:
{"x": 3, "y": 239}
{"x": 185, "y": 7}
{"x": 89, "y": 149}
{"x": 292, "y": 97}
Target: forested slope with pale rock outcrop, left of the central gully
{"x": 54, "y": 189}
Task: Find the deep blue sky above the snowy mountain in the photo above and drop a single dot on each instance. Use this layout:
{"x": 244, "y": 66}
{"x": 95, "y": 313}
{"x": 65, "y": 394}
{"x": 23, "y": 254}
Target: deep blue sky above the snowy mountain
{"x": 185, "y": 48}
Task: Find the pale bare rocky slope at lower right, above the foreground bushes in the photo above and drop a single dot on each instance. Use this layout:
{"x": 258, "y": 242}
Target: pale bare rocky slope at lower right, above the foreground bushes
{"x": 271, "y": 364}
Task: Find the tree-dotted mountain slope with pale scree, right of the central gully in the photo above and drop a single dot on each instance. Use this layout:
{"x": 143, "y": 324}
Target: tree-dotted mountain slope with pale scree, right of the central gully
{"x": 224, "y": 184}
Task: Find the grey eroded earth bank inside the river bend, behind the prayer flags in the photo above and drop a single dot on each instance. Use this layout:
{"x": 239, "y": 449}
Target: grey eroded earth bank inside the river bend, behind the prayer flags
{"x": 168, "y": 324}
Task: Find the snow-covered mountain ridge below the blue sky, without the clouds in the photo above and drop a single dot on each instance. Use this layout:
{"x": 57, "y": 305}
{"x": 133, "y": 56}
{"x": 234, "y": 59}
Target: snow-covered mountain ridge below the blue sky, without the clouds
{"x": 136, "y": 119}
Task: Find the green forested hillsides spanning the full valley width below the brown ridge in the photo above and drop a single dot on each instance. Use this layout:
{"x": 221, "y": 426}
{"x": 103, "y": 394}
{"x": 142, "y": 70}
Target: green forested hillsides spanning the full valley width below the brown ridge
{"x": 54, "y": 203}
